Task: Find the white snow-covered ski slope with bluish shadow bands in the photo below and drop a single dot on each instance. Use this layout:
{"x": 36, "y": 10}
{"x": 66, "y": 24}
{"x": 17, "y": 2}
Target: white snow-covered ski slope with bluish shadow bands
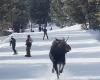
{"x": 82, "y": 62}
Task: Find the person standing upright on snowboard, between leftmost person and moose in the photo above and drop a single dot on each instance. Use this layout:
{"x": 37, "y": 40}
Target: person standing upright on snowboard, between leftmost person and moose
{"x": 28, "y": 46}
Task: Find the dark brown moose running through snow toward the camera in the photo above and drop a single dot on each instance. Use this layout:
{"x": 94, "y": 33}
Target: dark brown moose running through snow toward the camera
{"x": 57, "y": 55}
